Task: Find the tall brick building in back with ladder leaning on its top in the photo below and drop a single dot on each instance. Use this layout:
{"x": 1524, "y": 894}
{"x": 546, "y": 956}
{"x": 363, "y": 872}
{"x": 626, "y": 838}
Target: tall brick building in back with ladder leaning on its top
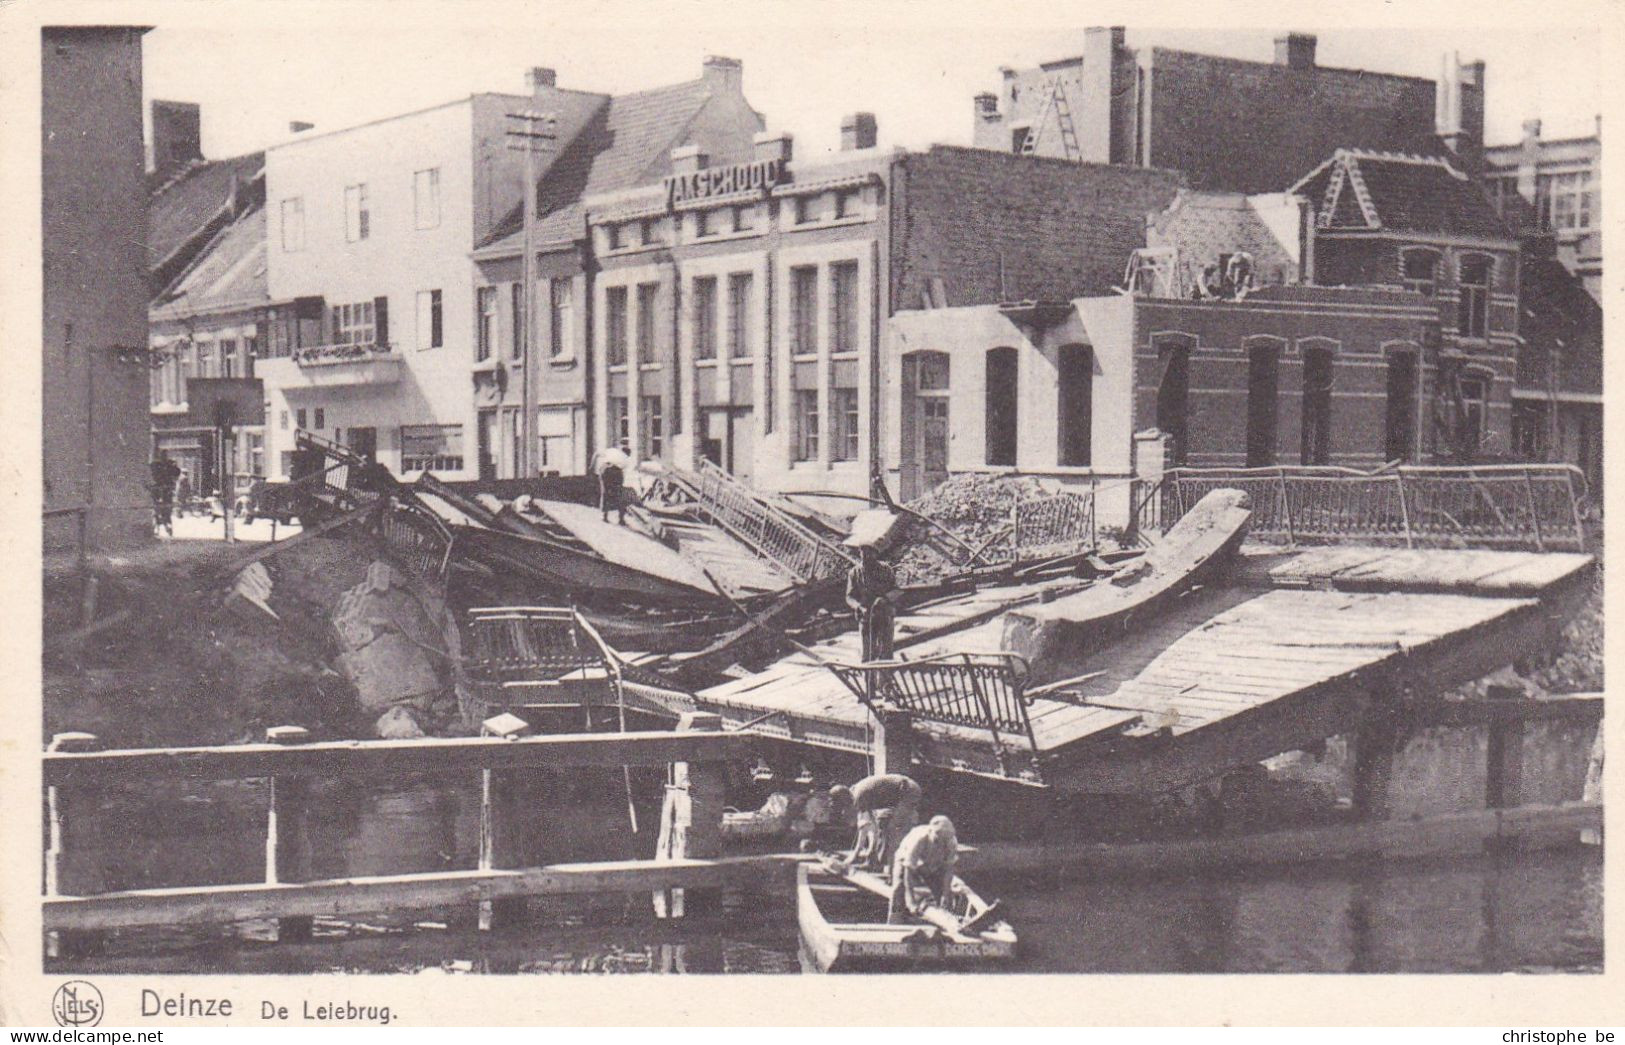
{"x": 1228, "y": 124}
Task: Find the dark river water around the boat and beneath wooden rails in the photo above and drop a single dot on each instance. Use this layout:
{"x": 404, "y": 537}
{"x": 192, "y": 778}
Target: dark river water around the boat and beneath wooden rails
{"x": 1483, "y": 914}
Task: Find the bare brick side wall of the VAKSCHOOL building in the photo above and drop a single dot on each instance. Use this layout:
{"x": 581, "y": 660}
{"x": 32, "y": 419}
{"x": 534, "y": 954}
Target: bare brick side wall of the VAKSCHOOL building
{"x": 1057, "y": 230}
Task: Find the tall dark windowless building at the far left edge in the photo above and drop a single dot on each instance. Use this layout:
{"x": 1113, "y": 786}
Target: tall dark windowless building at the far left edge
{"x": 93, "y": 225}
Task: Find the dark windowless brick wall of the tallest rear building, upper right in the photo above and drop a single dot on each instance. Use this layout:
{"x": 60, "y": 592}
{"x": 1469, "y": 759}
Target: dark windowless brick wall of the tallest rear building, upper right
{"x": 1259, "y": 128}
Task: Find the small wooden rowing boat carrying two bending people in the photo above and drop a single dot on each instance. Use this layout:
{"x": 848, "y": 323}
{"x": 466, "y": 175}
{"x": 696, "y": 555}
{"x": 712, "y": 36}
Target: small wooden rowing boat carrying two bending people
{"x": 843, "y": 919}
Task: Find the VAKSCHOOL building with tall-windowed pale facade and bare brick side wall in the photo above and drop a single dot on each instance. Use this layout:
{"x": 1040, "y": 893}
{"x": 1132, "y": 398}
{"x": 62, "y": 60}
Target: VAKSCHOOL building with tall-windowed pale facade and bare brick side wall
{"x": 740, "y": 310}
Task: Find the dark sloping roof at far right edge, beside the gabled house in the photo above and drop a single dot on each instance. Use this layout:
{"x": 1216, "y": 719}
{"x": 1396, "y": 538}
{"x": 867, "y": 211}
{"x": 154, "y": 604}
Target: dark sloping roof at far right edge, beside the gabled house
{"x": 1558, "y": 314}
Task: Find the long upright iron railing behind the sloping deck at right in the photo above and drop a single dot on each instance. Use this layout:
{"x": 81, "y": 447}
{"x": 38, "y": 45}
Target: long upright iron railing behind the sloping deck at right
{"x": 1491, "y": 506}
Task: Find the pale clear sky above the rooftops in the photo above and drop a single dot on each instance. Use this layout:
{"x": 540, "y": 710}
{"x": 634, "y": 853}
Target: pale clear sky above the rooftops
{"x": 917, "y": 66}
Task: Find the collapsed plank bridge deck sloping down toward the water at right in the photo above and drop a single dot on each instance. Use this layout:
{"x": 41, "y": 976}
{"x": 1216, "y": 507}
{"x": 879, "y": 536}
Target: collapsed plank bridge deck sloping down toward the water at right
{"x": 1278, "y": 653}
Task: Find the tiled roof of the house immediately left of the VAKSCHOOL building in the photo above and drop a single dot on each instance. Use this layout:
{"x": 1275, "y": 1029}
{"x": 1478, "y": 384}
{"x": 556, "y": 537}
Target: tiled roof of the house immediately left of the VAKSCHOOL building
{"x": 626, "y": 144}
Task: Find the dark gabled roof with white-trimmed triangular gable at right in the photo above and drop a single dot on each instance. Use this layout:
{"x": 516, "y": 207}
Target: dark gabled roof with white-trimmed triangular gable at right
{"x": 1400, "y": 193}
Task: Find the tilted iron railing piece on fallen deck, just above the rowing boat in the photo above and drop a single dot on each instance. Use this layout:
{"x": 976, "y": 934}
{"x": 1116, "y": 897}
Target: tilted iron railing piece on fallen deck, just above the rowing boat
{"x": 981, "y": 692}
